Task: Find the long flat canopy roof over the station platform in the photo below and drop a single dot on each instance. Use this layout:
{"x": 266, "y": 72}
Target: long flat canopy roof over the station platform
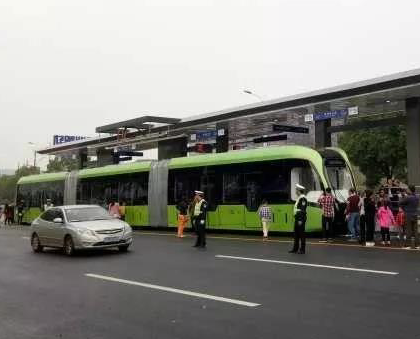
{"x": 383, "y": 98}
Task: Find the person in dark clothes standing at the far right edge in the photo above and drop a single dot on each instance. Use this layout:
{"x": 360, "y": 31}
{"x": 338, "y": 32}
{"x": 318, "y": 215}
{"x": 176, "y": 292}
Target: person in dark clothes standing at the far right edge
{"x": 410, "y": 205}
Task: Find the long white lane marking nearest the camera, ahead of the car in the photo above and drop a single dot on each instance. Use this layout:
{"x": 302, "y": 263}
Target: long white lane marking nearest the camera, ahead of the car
{"x": 173, "y": 290}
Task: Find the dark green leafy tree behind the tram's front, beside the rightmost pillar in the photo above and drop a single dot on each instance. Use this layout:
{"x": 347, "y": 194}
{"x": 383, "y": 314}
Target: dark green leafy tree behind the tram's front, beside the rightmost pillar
{"x": 378, "y": 152}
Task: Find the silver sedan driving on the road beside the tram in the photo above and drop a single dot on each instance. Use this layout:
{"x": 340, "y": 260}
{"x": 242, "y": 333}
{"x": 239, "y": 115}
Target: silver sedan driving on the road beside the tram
{"x": 79, "y": 227}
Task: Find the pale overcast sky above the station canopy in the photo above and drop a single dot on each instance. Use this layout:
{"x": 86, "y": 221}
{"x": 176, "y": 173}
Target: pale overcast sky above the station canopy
{"x": 69, "y": 66}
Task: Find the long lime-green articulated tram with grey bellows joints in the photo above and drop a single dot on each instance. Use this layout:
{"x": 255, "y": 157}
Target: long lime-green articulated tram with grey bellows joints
{"x": 234, "y": 184}
